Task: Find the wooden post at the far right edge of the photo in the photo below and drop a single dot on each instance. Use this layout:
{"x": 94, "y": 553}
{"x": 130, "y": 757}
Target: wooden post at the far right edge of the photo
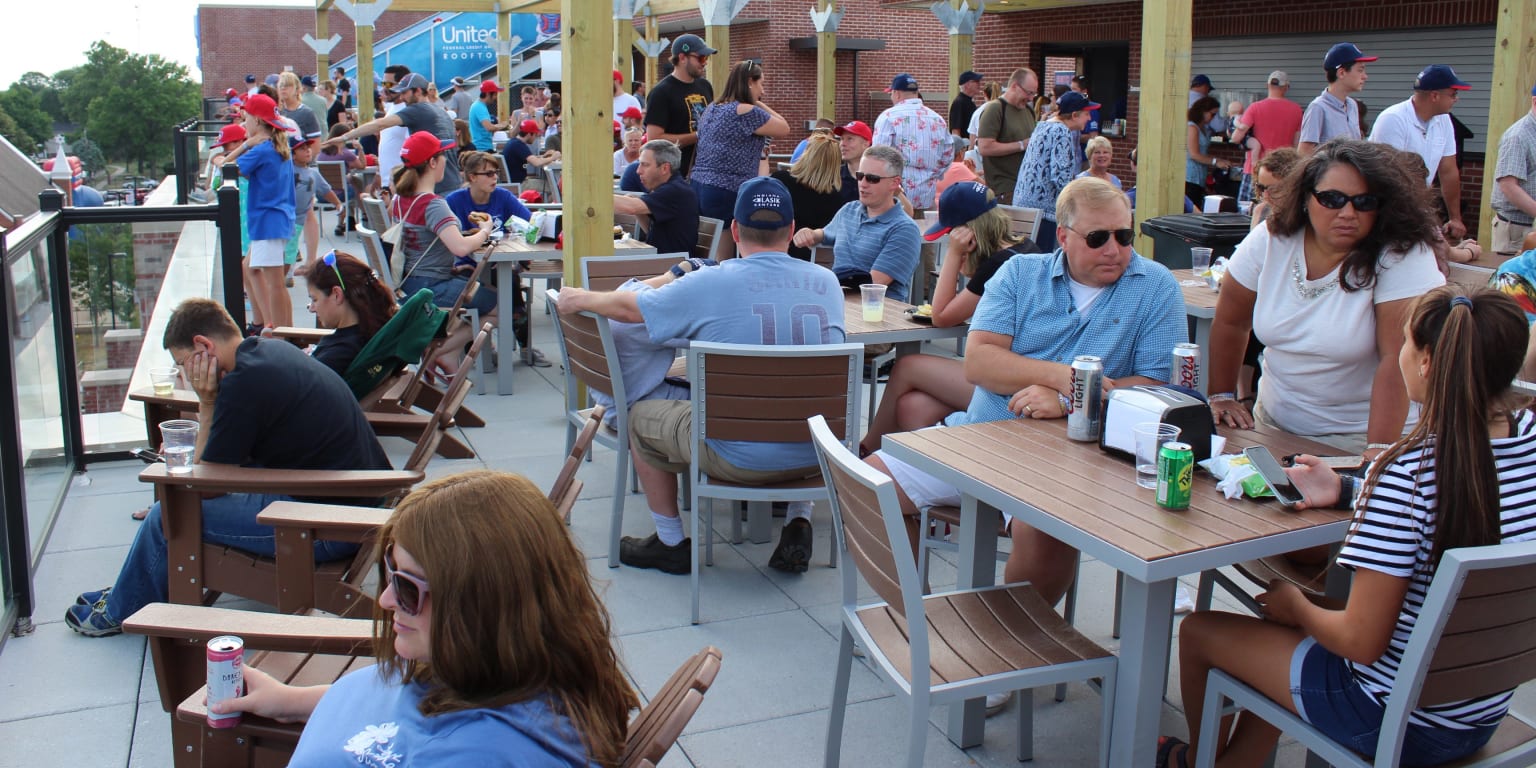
{"x": 1509, "y": 98}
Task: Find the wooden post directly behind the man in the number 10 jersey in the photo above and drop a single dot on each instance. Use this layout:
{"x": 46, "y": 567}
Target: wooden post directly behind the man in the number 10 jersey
{"x": 586, "y": 51}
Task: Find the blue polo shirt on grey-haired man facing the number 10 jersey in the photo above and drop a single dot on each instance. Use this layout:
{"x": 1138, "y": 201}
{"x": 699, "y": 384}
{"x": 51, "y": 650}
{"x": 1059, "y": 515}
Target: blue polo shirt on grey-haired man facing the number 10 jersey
{"x": 887, "y": 243}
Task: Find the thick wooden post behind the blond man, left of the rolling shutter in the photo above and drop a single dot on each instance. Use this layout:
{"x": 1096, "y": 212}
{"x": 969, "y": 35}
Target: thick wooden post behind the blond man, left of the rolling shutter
{"x": 1160, "y": 150}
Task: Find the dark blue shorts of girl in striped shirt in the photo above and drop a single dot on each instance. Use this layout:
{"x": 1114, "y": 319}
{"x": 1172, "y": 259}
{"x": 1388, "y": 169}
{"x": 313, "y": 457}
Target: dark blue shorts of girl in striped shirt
{"x": 1326, "y": 695}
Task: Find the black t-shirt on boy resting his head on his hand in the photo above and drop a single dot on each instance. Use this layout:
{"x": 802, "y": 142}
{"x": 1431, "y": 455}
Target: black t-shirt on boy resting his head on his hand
{"x": 283, "y": 409}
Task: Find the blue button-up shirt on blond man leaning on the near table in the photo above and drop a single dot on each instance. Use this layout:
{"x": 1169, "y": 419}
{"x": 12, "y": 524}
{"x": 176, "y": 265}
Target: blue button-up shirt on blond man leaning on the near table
{"x": 1133, "y": 325}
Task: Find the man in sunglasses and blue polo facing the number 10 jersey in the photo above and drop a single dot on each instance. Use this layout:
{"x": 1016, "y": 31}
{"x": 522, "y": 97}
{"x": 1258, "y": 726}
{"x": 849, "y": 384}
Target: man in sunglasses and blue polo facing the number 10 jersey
{"x": 873, "y": 239}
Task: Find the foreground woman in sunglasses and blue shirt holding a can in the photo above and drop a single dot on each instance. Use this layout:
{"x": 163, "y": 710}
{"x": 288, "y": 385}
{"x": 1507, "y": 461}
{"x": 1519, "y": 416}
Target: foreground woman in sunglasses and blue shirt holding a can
{"x": 492, "y": 646}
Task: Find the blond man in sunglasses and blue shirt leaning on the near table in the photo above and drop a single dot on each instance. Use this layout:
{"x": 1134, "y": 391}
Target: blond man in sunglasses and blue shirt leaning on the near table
{"x": 1094, "y": 296}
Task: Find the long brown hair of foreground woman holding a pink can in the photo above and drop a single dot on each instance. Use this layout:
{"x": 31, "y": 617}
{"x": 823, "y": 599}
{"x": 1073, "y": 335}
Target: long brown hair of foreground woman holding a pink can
{"x": 514, "y": 612}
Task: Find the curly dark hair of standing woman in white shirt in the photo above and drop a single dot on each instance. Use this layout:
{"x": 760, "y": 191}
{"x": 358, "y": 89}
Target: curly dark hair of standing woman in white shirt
{"x": 1402, "y": 222}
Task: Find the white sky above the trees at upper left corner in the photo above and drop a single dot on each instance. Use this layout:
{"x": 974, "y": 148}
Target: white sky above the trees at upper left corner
{"x": 47, "y": 42}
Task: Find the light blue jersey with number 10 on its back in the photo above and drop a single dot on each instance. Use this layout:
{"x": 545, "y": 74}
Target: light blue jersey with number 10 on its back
{"x": 766, "y": 299}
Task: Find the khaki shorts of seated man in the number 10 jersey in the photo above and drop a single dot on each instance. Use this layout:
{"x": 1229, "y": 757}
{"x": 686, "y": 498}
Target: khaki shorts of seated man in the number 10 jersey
{"x": 661, "y": 432}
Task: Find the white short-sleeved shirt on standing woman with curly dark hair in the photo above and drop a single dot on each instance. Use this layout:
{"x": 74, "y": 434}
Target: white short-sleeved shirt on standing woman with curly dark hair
{"x": 1320, "y": 354}
